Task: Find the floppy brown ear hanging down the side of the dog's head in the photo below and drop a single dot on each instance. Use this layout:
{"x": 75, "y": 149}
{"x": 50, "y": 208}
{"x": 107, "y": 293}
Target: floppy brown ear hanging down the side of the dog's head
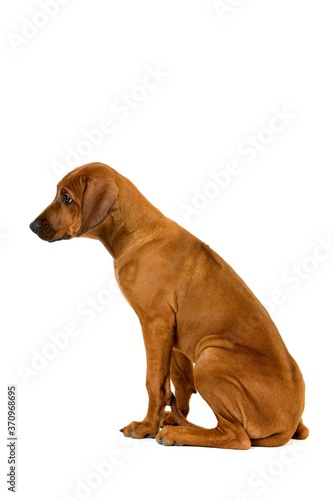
{"x": 98, "y": 200}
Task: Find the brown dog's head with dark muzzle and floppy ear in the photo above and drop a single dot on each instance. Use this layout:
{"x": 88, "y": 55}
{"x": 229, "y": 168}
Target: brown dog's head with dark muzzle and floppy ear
{"x": 85, "y": 198}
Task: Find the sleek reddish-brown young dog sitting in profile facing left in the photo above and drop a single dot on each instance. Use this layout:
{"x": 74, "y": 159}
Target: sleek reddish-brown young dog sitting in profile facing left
{"x": 194, "y": 310}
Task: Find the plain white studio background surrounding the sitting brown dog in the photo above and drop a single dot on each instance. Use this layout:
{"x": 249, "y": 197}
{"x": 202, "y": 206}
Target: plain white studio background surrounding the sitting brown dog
{"x": 223, "y": 77}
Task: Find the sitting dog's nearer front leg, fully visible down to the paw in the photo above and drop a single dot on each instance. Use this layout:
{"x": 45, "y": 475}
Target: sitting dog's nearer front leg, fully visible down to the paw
{"x": 158, "y": 338}
